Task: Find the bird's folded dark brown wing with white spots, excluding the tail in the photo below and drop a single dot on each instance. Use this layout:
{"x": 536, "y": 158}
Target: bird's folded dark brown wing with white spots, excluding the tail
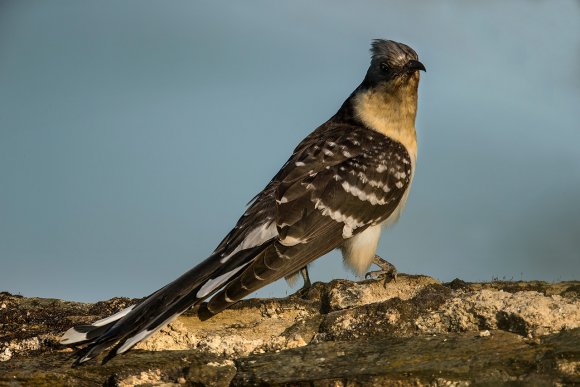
{"x": 335, "y": 185}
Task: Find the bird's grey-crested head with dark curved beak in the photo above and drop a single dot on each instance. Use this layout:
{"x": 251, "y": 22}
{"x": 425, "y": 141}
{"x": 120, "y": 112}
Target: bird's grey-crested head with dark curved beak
{"x": 393, "y": 65}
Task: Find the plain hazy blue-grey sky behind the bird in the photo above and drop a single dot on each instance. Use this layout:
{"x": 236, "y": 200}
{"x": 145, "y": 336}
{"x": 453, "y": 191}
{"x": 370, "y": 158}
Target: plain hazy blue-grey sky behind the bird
{"x": 133, "y": 133}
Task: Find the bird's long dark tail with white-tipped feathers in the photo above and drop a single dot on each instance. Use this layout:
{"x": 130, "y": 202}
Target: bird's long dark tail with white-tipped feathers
{"x": 137, "y": 322}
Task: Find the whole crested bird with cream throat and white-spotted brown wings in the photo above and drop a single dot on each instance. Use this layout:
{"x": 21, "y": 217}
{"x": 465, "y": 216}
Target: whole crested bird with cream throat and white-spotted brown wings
{"x": 342, "y": 184}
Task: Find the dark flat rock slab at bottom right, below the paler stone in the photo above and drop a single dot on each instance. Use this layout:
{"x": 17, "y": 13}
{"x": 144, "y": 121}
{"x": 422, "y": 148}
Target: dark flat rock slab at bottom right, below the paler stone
{"x": 453, "y": 359}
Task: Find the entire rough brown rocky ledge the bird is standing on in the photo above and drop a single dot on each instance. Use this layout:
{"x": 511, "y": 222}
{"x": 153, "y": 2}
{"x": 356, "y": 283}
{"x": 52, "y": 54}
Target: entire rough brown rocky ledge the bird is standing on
{"x": 414, "y": 331}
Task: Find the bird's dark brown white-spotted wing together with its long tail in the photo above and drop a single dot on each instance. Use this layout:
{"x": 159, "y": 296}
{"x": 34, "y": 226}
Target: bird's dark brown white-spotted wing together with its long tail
{"x": 340, "y": 180}
